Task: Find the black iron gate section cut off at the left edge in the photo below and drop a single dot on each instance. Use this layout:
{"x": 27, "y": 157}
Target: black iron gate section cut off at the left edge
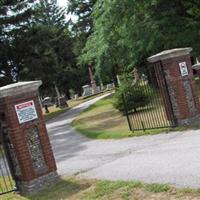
{"x": 7, "y": 181}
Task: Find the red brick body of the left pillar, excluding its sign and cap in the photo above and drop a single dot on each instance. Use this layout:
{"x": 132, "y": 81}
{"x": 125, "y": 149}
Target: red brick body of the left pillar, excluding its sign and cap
{"x": 24, "y": 151}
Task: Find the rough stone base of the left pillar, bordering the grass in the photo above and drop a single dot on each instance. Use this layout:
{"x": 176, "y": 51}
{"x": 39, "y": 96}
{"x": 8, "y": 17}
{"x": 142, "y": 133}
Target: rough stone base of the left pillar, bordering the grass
{"x": 38, "y": 184}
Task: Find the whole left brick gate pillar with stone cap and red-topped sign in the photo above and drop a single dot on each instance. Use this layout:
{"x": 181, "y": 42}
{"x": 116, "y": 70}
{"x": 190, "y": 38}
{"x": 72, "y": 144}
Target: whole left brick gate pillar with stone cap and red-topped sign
{"x": 30, "y": 150}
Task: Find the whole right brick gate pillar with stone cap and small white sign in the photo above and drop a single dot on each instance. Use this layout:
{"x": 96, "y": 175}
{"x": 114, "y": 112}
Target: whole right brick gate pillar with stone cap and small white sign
{"x": 177, "y": 68}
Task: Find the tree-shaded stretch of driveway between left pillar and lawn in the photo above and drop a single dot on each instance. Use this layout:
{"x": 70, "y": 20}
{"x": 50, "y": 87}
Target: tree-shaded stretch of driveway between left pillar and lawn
{"x": 66, "y": 142}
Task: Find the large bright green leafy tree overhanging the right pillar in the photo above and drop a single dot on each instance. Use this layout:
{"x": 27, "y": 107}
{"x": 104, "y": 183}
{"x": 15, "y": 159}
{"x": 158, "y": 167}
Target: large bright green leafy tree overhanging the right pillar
{"x": 127, "y": 32}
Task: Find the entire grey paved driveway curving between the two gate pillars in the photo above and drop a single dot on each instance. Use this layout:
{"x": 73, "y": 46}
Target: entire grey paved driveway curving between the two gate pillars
{"x": 166, "y": 158}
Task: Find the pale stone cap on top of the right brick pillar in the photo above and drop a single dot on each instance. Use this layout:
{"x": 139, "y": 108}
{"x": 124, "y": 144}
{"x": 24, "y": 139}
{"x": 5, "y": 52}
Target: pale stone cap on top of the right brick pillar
{"x": 169, "y": 54}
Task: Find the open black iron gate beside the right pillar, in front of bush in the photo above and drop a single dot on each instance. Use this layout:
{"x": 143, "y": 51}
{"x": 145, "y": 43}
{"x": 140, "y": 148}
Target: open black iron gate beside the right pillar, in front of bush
{"x": 148, "y": 105}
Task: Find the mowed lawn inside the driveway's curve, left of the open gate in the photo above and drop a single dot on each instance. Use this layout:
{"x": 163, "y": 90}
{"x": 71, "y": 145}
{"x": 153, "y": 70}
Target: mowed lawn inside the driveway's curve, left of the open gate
{"x": 103, "y": 121}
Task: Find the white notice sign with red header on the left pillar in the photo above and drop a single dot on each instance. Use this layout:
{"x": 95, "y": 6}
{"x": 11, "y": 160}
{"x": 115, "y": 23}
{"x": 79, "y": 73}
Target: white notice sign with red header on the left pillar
{"x": 26, "y": 112}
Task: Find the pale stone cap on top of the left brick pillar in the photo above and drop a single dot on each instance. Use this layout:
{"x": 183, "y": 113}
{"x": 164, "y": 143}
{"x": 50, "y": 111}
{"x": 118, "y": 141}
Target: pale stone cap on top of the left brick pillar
{"x": 19, "y": 88}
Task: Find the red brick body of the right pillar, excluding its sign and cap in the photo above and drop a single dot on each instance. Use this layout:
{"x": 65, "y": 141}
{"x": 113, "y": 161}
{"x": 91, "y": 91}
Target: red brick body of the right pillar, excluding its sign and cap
{"x": 182, "y": 90}
